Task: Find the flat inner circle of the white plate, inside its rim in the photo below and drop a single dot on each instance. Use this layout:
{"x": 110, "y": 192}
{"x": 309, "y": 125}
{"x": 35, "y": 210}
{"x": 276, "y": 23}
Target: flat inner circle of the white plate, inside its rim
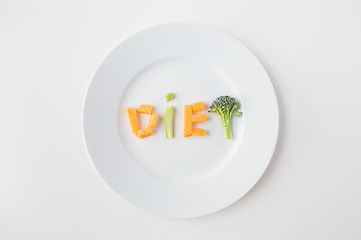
{"x": 180, "y": 159}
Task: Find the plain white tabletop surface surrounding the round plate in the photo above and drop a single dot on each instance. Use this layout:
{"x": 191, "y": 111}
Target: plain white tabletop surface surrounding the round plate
{"x": 48, "y": 52}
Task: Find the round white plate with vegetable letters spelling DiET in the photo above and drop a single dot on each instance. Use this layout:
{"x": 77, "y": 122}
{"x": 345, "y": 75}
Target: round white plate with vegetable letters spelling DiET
{"x": 181, "y": 177}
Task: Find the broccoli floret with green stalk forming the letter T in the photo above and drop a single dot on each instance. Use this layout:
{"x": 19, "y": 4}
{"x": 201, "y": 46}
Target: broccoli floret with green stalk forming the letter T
{"x": 225, "y": 107}
